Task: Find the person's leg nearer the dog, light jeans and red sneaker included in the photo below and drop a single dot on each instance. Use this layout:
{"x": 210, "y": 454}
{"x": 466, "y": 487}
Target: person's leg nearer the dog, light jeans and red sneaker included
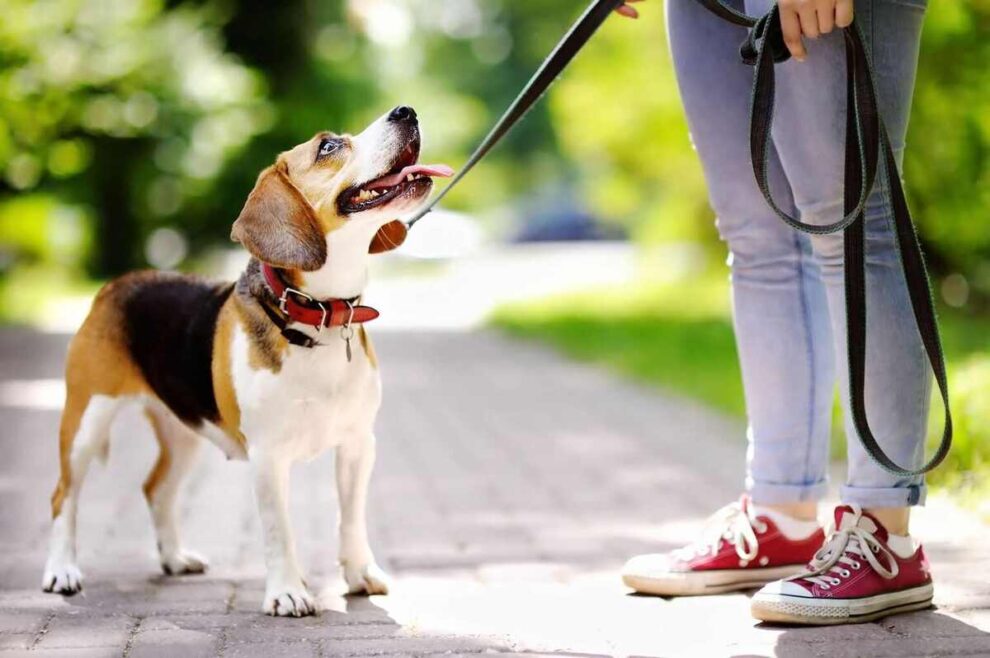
{"x": 782, "y": 333}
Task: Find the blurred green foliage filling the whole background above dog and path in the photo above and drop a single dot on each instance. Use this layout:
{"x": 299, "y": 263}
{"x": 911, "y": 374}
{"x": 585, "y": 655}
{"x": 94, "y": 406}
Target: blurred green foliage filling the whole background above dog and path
{"x": 146, "y": 114}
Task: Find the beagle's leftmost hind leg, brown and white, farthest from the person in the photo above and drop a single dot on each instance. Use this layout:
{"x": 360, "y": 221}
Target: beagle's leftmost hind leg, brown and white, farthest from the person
{"x": 84, "y": 433}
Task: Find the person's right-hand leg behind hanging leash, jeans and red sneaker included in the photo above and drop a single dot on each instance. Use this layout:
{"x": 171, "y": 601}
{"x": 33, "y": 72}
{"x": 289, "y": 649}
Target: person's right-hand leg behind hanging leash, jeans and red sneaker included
{"x": 870, "y": 568}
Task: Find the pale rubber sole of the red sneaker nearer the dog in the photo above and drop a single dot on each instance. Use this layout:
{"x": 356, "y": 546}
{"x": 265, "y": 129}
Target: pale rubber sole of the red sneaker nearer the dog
{"x": 698, "y": 583}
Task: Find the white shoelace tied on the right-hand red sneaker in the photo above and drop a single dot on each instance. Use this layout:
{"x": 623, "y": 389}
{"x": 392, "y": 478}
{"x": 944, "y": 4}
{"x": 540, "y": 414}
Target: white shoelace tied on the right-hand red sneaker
{"x": 845, "y": 549}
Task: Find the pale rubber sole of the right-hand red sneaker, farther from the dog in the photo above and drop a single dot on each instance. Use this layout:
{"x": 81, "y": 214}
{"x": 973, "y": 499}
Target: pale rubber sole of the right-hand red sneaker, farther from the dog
{"x": 781, "y": 608}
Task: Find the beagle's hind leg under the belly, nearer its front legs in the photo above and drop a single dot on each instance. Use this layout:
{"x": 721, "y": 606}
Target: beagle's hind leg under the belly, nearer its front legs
{"x": 178, "y": 447}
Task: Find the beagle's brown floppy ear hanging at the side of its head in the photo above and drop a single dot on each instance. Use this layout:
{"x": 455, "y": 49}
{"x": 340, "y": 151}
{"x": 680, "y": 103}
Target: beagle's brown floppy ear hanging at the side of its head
{"x": 278, "y": 226}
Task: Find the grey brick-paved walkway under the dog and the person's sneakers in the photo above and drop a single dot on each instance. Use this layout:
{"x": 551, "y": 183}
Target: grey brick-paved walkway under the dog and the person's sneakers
{"x": 510, "y": 487}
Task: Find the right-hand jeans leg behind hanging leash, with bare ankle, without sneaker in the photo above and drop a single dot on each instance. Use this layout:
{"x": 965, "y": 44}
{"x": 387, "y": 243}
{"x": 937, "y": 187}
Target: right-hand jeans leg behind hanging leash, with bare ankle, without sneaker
{"x": 809, "y": 138}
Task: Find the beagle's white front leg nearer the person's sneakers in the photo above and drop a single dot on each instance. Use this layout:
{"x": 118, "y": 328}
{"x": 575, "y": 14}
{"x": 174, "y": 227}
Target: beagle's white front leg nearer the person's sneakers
{"x": 355, "y": 460}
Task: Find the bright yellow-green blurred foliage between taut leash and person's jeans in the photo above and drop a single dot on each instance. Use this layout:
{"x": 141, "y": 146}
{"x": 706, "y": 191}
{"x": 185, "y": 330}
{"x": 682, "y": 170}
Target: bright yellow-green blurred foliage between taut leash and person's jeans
{"x": 636, "y": 162}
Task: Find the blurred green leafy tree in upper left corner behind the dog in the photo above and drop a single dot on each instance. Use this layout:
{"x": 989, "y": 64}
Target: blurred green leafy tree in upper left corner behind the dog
{"x": 123, "y": 106}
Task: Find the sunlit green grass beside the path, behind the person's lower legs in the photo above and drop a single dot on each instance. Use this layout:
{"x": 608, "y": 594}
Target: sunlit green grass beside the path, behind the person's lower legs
{"x": 679, "y": 338}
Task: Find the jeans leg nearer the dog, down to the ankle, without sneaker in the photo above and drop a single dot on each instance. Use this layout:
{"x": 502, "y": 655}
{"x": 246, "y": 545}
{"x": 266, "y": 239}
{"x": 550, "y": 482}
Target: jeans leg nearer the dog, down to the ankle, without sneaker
{"x": 779, "y": 306}
